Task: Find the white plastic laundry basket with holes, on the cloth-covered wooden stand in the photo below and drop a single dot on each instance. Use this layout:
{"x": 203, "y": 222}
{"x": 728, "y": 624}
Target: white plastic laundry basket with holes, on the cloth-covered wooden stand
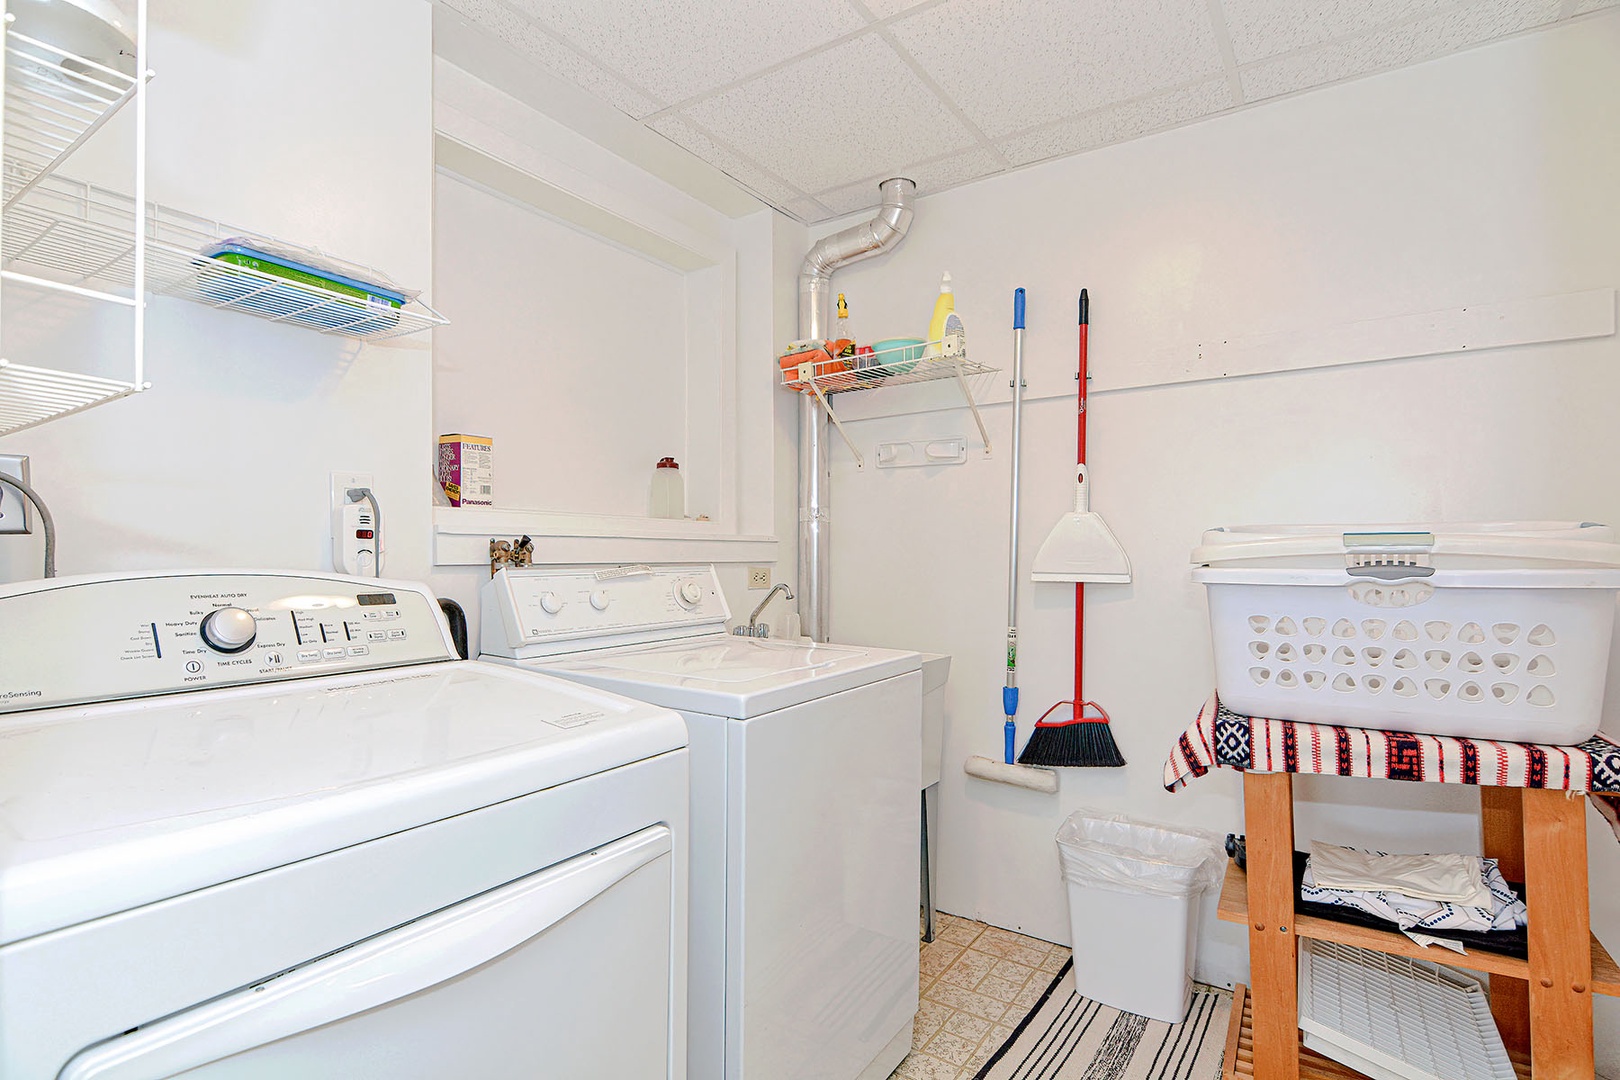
{"x": 1475, "y": 631}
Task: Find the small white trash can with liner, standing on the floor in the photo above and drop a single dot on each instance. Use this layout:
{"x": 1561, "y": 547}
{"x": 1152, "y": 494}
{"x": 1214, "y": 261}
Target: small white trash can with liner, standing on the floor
{"x": 1133, "y": 909}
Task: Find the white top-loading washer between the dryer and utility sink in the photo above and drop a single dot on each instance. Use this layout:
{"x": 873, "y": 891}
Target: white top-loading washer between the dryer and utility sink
{"x": 804, "y": 810}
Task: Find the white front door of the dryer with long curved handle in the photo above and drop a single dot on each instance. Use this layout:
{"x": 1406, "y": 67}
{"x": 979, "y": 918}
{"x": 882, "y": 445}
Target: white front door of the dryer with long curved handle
{"x": 565, "y": 972}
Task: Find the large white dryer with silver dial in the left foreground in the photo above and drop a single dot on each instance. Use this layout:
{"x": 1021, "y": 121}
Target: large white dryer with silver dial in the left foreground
{"x": 266, "y": 825}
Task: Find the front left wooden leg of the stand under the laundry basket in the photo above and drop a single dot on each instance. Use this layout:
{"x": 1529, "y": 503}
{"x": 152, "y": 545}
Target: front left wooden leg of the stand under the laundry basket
{"x": 1274, "y": 959}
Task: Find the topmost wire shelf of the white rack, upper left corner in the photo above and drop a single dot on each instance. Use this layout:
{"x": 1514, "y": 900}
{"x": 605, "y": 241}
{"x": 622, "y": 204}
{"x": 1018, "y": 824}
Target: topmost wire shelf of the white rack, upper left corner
{"x": 54, "y": 101}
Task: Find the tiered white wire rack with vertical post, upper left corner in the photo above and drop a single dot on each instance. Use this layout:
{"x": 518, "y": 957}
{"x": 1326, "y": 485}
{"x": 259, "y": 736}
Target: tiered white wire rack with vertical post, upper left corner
{"x": 53, "y": 103}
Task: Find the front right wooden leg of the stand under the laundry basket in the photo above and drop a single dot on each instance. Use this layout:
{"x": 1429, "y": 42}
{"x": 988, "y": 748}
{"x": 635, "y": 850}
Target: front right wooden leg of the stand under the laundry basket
{"x": 1561, "y": 961}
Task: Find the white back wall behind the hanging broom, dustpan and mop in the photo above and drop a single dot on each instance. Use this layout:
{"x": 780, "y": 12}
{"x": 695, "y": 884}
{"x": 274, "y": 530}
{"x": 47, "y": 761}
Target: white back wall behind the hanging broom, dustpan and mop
{"x": 1485, "y": 177}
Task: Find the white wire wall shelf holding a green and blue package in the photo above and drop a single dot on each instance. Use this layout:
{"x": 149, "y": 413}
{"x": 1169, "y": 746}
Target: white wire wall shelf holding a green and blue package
{"x": 82, "y": 239}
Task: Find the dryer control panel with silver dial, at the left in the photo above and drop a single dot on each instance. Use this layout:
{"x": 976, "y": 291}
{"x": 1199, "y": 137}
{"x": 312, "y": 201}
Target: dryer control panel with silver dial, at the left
{"x": 106, "y": 639}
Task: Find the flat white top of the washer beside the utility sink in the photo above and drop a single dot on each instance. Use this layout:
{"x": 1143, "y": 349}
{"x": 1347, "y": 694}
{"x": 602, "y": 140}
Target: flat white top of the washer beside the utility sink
{"x": 728, "y": 676}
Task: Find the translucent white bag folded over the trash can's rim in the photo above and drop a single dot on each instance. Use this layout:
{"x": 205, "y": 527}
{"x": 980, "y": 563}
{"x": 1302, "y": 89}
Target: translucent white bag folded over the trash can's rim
{"x": 1112, "y": 853}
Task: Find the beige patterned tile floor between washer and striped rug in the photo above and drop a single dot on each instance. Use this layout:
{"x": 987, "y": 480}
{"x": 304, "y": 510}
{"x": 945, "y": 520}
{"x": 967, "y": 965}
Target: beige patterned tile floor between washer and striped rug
{"x": 978, "y": 984}
